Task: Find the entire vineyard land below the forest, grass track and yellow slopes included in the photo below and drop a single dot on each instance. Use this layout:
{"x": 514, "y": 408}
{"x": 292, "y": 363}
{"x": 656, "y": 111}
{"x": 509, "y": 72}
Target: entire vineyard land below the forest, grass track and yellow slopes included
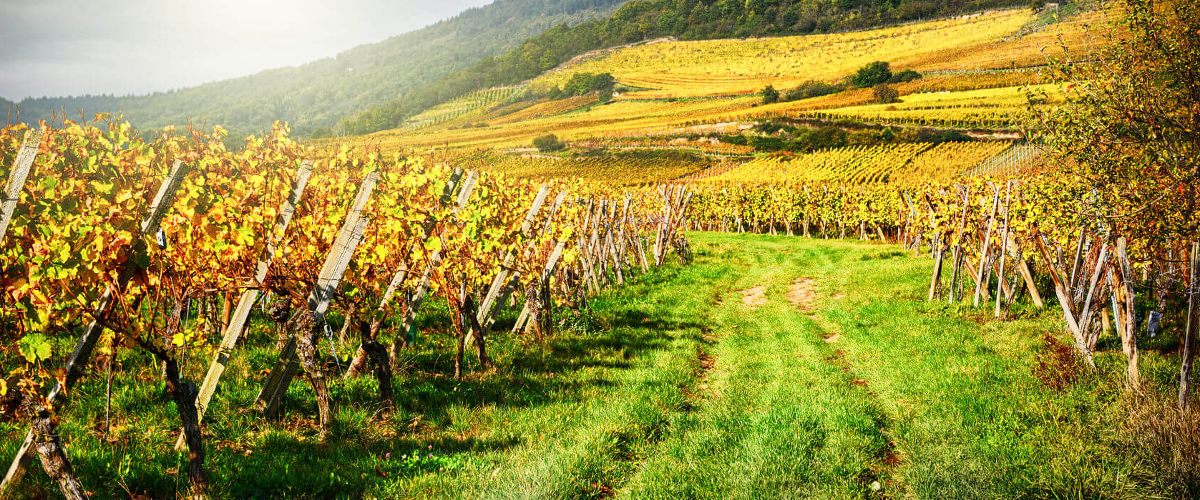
{"x": 980, "y": 282}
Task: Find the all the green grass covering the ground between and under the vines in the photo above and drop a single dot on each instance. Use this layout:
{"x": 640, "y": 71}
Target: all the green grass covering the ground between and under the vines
{"x": 680, "y": 391}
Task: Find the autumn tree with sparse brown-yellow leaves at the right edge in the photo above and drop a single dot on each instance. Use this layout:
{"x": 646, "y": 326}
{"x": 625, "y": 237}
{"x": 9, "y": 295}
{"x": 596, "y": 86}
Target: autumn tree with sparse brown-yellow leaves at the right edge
{"x": 1127, "y": 136}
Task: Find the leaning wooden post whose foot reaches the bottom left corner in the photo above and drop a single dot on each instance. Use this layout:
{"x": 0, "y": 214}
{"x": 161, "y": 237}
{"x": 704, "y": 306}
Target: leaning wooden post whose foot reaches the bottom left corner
{"x": 87, "y": 344}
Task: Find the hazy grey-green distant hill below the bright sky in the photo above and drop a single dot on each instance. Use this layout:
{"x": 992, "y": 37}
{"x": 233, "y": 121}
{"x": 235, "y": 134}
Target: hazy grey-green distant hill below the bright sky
{"x": 320, "y": 94}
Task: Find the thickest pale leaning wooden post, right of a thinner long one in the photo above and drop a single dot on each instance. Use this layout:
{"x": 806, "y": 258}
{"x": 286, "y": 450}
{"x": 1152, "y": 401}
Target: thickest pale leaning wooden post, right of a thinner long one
{"x": 328, "y": 280}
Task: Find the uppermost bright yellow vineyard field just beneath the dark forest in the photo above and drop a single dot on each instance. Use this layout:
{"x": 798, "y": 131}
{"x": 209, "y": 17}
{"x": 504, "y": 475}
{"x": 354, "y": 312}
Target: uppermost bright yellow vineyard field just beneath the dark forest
{"x": 728, "y": 68}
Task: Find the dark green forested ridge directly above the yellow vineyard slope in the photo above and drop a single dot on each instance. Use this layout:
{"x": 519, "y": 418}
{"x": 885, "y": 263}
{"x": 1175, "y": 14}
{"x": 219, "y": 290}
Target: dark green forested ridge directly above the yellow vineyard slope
{"x": 644, "y": 20}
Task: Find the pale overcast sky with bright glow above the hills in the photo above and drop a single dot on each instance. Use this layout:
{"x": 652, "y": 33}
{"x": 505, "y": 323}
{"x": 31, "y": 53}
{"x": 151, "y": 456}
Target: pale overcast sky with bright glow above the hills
{"x": 75, "y": 47}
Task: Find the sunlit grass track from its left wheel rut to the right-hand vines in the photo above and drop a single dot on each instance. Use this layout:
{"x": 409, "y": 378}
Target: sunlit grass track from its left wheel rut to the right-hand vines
{"x": 873, "y": 393}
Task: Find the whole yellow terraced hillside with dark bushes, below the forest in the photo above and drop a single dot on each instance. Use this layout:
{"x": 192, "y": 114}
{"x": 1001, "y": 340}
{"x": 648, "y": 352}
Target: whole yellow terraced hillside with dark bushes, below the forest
{"x": 694, "y": 110}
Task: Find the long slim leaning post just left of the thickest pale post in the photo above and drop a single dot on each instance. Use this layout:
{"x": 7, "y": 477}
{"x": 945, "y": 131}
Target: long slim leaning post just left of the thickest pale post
{"x": 247, "y": 303}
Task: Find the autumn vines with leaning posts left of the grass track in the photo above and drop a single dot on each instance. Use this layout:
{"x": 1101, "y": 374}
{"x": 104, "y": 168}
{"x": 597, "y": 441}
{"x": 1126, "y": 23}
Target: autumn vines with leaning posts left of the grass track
{"x": 135, "y": 246}
